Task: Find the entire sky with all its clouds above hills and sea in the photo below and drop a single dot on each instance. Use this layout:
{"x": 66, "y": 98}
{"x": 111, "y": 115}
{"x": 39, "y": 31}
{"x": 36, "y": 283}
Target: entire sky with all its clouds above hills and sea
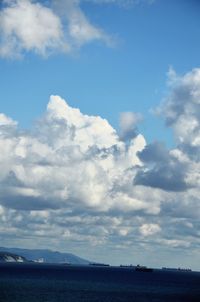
{"x": 100, "y": 129}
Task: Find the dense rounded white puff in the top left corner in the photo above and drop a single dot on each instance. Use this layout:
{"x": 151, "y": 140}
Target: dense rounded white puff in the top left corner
{"x": 27, "y": 26}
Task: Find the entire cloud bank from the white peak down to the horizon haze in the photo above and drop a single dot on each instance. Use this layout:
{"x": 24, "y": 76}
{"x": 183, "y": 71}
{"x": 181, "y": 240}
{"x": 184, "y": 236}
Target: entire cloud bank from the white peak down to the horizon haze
{"x": 73, "y": 181}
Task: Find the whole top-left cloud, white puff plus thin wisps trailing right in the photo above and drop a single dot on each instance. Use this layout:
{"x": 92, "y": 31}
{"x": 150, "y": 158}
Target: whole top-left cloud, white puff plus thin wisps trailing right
{"x": 27, "y": 25}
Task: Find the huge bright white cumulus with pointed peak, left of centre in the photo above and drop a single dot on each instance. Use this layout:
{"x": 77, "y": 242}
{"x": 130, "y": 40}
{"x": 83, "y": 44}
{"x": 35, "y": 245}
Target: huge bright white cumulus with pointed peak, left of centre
{"x": 71, "y": 160}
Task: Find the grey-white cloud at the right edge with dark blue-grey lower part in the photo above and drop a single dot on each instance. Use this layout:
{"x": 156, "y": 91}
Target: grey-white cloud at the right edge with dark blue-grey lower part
{"x": 176, "y": 169}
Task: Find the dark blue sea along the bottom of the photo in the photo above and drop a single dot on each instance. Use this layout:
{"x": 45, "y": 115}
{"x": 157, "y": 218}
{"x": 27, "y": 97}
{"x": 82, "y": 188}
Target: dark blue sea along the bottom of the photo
{"x": 59, "y": 283}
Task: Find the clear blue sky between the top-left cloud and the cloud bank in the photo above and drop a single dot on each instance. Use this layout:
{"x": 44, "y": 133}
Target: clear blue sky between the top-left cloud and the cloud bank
{"x": 101, "y": 80}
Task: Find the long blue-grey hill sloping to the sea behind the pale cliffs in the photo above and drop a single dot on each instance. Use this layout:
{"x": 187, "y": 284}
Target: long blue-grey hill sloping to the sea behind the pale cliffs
{"x": 46, "y": 256}
